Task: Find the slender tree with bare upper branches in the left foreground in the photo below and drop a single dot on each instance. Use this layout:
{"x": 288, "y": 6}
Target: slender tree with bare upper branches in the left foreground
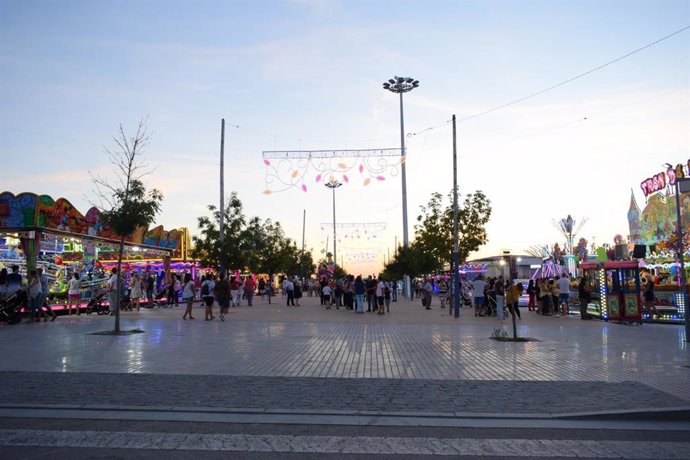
{"x": 125, "y": 204}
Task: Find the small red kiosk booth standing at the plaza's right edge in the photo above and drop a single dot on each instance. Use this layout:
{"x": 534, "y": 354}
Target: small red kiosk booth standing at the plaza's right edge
{"x": 615, "y": 290}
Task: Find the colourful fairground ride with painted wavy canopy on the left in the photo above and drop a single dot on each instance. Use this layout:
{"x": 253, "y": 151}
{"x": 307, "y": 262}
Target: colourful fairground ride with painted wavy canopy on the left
{"x": 36, "y": 230}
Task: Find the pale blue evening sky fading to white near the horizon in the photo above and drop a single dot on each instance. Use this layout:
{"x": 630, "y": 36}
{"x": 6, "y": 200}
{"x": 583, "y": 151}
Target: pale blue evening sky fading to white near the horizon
{"x": 307, "y": 75}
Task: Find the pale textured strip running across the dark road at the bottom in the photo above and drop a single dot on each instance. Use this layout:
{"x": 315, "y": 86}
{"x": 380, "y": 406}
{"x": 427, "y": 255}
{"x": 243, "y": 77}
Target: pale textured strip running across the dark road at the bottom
{"x": 345, "y": 445}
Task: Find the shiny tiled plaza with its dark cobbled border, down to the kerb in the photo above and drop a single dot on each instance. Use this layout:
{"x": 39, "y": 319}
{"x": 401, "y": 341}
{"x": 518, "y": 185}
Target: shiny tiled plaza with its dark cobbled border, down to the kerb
{"x": 310, "y": 359}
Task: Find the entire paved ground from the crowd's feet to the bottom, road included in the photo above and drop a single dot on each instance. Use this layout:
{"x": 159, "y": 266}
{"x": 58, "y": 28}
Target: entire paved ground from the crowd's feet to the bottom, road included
{"x": 276, "y": 382}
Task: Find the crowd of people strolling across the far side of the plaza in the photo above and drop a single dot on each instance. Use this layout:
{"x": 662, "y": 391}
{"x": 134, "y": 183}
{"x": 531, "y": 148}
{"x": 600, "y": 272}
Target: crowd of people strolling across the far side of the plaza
{"x": 493, "y": 296}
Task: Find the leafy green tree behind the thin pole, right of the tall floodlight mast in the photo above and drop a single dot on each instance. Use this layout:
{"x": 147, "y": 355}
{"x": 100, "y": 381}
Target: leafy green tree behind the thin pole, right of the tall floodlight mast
{"x": 435, "y": 230}
